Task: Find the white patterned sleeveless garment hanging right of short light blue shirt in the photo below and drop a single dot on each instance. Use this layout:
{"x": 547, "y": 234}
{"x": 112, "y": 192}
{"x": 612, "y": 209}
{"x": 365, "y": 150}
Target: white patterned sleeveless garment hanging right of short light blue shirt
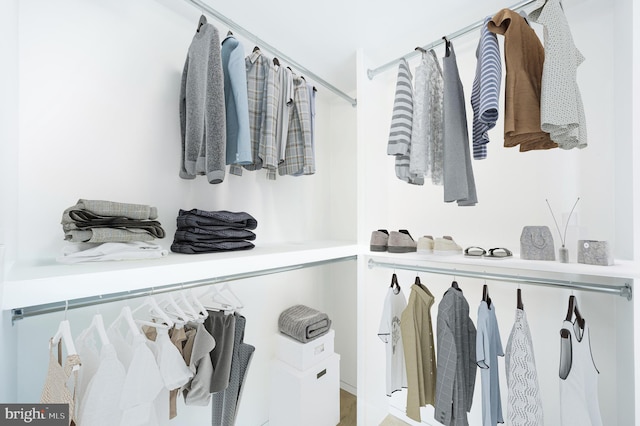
{"x": 524, "y": 404}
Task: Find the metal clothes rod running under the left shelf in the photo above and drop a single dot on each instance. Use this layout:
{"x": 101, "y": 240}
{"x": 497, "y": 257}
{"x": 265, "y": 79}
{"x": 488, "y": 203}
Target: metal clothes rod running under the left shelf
{"x": 34, "y": 310}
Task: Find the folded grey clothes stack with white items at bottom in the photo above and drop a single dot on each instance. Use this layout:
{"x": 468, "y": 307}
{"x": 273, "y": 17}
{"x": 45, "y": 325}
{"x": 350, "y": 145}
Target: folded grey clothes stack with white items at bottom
{"x": 108, "y": 230}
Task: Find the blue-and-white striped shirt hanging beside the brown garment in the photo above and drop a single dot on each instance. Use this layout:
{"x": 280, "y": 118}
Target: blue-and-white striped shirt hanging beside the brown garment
{"x": 485, "y": 90}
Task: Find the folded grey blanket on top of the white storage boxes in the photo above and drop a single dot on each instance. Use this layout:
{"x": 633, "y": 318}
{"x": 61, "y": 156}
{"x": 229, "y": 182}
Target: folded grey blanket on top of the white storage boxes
{"x": 303, "y": 323}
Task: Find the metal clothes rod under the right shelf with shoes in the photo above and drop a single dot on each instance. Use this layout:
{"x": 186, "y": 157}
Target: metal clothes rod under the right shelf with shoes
{"x": 622, "y": 290}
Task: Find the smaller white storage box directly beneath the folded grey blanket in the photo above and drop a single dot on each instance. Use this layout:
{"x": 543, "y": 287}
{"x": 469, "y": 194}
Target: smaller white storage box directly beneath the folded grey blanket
{"x": 304, "y": 355}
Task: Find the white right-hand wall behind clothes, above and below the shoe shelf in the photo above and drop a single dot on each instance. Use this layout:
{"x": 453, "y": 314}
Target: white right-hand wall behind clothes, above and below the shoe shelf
{"x": 512, "y": 188}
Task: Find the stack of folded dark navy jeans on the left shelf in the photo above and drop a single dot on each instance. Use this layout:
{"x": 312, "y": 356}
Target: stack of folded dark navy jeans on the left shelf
{"x": 201, "y": 231}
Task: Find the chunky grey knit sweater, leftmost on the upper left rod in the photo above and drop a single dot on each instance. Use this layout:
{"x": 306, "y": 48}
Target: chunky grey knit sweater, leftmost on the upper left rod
{"x": 202, "y": 109}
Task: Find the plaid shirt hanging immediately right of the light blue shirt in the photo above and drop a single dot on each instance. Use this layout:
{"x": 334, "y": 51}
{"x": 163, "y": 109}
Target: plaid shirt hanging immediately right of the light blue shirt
{"x": 257, "y": 66}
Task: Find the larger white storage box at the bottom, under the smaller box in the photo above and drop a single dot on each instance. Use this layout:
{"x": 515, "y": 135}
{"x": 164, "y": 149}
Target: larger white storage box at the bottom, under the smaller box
{"x": 309, "y": 398}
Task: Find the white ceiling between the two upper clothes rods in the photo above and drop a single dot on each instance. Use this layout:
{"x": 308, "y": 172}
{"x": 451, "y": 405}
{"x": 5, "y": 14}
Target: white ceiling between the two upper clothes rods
{"x": 324, "y": 36}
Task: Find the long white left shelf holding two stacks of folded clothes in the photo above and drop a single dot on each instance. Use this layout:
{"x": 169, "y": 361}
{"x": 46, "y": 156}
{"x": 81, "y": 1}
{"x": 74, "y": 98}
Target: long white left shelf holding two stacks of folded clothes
{"x": 30, "y": 284}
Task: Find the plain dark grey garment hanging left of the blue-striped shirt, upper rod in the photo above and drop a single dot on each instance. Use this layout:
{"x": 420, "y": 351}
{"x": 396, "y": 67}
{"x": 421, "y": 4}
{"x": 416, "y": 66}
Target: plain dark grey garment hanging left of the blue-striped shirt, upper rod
{"x": 459, "y": 183}
